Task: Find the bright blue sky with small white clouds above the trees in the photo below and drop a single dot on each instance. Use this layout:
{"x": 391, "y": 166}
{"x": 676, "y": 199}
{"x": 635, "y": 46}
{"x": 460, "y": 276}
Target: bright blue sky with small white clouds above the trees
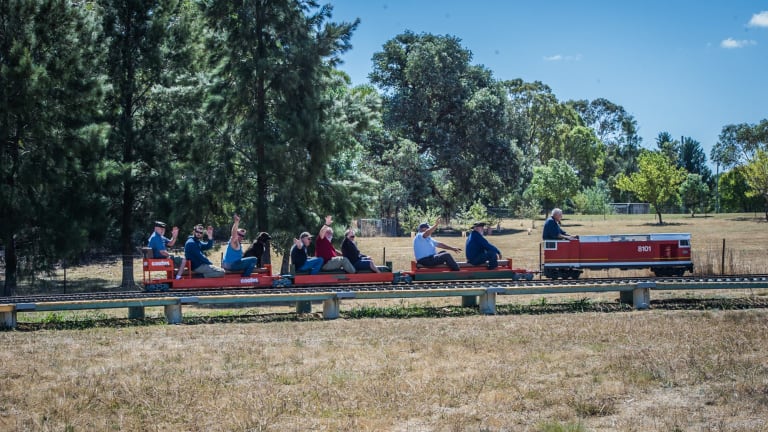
{"x": 684, "y": 67}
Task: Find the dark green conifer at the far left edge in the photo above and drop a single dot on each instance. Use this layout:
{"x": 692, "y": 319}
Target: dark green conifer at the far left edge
{"x": 49, "y": 139}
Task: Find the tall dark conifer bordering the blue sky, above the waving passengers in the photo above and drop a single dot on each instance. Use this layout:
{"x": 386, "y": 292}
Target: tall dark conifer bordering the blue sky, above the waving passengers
{"x": 273, "y": 106}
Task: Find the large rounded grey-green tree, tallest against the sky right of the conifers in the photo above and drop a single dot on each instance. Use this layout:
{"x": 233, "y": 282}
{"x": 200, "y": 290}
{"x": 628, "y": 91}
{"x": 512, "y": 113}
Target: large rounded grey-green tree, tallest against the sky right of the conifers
{"x": 454, "y": 113}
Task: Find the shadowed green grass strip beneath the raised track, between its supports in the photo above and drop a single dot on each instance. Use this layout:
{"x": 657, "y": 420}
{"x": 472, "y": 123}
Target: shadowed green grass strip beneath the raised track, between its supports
{"x": 58, "y": 321}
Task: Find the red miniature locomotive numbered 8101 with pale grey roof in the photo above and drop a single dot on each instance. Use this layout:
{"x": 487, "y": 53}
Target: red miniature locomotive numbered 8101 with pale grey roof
{"x": 664, "y": 254}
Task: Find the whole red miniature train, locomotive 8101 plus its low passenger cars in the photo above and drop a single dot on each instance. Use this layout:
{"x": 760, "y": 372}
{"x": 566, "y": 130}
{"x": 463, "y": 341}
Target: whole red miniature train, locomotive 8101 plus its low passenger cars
{"x": 663, "y": 254}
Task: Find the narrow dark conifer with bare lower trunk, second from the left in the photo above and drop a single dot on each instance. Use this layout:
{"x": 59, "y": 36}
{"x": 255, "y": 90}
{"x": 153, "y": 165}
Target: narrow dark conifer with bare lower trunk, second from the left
{"x": 142, "y": 39}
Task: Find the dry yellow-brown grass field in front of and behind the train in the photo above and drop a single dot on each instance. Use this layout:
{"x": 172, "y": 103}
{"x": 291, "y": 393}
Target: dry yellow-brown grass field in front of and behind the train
{"x": 620, "y": 370}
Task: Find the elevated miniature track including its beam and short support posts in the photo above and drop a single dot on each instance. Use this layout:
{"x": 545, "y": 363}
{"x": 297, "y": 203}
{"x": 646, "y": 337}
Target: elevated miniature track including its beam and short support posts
{"x": 635, "y": 291}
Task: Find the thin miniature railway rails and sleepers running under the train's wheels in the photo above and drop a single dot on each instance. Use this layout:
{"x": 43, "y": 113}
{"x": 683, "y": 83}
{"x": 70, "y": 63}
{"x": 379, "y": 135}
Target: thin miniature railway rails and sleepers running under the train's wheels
{"x": 683, "y": 282}
